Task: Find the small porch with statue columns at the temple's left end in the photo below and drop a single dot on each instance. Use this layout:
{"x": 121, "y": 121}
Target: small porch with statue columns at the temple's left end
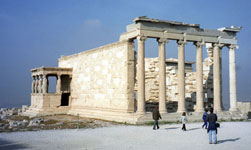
{"x": 40, "y": 97}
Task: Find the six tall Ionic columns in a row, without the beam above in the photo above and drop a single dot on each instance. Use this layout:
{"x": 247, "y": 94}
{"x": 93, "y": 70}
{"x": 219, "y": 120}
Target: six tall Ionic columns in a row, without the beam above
{"x": 181, "y": 76}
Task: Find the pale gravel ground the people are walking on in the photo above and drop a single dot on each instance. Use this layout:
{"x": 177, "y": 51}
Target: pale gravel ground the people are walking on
{"x": 231, "y": 136}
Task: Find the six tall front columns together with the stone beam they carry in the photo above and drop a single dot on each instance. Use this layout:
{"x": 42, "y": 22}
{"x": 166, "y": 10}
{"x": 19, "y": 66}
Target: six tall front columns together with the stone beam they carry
{"x": 163, "y": 31}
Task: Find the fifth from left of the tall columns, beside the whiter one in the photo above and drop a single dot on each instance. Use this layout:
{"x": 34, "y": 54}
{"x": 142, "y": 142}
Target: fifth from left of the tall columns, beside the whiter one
{"x": 217, "y": 78}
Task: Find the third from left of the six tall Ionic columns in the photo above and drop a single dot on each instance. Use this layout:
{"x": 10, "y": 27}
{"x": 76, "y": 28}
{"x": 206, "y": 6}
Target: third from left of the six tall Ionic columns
{"x": 181, "y": 76}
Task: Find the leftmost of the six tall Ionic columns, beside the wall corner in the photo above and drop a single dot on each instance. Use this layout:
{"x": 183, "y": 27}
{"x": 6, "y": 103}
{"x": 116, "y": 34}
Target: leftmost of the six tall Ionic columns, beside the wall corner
{"x": 141, "y": 75}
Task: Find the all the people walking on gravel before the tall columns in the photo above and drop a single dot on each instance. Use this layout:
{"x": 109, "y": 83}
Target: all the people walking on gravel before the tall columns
{"x": 209, "y": 123}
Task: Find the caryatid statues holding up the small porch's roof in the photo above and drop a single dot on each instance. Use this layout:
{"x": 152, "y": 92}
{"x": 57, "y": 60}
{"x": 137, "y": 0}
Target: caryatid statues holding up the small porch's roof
{"x": 40, "y": 84}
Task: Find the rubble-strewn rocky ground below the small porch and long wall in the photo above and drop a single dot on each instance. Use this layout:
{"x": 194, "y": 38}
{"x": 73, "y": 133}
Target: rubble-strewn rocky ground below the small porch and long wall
{"x": 11, "y": 120}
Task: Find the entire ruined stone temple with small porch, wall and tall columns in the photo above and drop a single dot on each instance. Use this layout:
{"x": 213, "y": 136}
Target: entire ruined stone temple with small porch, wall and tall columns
{"x": 116, "y": 82}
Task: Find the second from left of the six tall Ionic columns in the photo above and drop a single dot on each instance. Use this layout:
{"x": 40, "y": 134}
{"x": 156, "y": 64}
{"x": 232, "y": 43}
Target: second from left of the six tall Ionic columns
{"x": 162, "y": 75}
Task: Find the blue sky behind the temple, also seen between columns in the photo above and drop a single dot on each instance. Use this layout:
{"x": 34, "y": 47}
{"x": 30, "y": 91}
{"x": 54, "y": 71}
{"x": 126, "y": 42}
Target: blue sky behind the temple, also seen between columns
{"x": 35, "y": 33}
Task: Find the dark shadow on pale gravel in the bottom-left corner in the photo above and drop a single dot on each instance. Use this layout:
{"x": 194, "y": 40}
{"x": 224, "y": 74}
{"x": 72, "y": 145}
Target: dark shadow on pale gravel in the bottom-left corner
{"x": 9, "y": 145}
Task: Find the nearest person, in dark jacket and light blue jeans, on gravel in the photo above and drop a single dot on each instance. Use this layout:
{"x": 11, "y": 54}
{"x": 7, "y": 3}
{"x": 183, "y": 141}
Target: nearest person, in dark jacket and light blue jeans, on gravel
{"x": 212, "y": 129}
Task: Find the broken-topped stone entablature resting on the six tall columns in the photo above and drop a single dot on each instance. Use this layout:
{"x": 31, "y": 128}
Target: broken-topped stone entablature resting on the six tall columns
{"x": 155, "y": 28}
